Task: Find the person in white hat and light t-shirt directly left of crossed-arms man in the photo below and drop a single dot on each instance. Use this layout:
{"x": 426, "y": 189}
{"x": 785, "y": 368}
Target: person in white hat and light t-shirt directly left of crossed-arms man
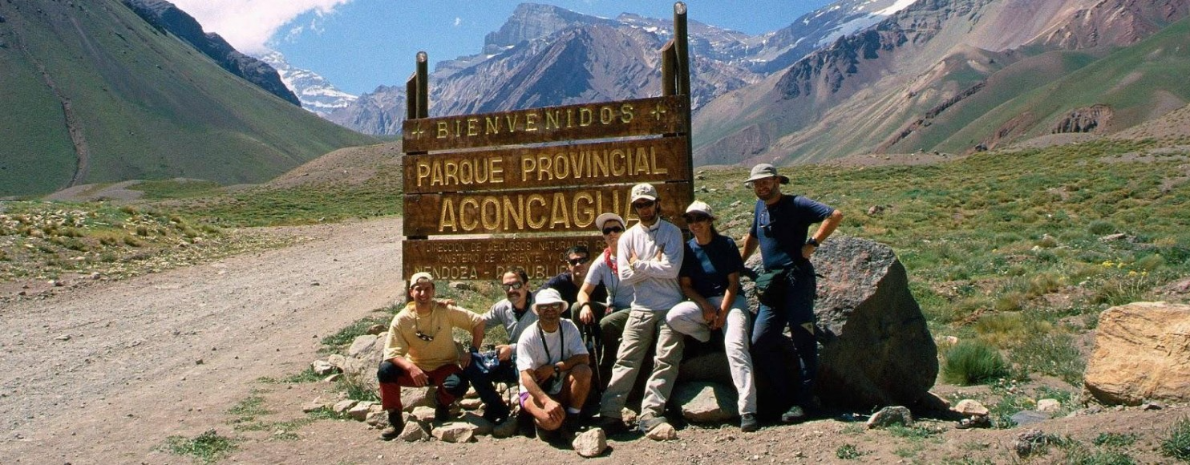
{"x": 604, "y": 319}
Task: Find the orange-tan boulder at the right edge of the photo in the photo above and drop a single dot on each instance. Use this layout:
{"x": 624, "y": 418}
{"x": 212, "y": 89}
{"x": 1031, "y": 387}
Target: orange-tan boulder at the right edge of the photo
{"x": 1142, "y": 353}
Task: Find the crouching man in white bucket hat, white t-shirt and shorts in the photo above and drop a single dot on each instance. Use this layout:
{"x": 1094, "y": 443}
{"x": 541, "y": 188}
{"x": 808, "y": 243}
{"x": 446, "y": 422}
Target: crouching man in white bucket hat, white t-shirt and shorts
{"x": 554, "y": 372}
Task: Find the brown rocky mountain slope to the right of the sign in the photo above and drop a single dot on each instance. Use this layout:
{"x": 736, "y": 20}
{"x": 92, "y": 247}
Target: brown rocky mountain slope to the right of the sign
{"x": 925, "y": 76}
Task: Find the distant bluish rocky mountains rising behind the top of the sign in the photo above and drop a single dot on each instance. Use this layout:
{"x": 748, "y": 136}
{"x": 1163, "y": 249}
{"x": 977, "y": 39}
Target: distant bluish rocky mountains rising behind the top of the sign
{"x": 546, "y": 55}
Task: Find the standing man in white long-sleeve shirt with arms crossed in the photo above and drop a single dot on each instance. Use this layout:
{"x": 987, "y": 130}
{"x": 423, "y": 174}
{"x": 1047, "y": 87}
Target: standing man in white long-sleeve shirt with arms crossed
{"x": 649, "y": 257}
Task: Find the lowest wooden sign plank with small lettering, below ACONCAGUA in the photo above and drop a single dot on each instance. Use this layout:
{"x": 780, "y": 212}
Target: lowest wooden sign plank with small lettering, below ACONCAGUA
{"x": 490, "y": 259}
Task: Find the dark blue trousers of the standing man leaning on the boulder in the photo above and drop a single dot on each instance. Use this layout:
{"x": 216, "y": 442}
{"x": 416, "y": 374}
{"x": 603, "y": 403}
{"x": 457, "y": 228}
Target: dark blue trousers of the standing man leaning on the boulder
{"x": 772, "y": 349}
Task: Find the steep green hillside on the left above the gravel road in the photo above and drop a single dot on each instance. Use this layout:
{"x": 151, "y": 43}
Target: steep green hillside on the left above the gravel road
{"x": 96, "y": 95}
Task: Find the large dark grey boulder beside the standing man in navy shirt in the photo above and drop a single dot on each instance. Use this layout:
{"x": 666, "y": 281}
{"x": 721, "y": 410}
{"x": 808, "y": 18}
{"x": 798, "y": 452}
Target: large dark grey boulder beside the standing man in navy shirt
{"x": 876, "y": 349}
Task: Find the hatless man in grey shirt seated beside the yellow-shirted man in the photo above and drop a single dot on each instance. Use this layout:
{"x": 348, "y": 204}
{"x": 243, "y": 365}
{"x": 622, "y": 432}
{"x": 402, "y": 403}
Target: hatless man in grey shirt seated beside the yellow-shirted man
{"x": 515, "y": 315}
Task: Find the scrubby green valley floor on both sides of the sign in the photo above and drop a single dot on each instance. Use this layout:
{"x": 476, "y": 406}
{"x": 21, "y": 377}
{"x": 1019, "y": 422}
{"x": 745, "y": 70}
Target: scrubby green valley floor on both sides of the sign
{"x": 999, "y": 247}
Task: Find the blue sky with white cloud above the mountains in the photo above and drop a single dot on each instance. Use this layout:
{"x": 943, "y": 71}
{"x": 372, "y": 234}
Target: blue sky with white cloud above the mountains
{"x": 361, "y": 45}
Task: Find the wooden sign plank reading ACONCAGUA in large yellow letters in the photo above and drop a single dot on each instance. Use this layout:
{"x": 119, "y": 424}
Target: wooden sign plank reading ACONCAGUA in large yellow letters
{"x": 531, "y": 211}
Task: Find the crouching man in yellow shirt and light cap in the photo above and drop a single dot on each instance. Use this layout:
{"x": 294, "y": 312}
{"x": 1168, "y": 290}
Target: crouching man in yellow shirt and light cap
{"x": 421, "y": 350}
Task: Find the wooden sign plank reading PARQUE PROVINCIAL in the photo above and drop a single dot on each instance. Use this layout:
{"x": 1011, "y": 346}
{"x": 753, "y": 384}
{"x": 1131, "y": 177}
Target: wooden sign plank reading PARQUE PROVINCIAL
{"x": 657, "y": 160}
